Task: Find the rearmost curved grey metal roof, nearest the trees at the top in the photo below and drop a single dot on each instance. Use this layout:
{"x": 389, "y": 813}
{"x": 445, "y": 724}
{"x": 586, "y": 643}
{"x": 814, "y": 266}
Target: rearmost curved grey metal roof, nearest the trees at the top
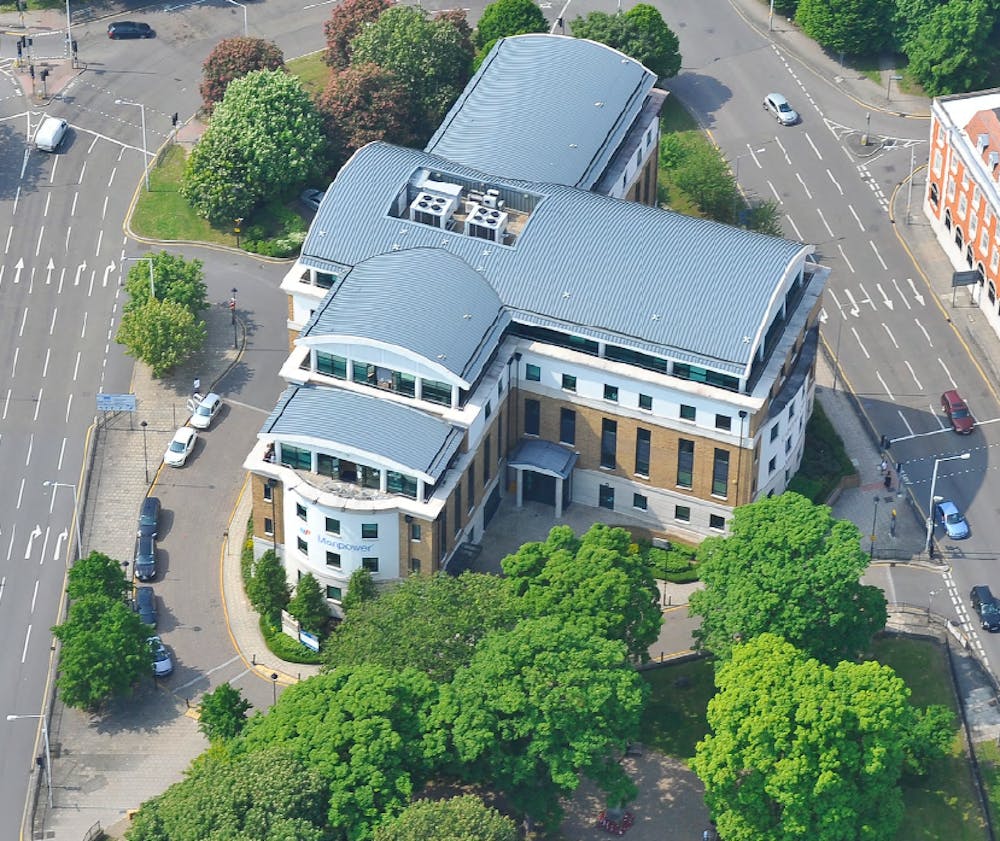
{"x": 564, "y": 128}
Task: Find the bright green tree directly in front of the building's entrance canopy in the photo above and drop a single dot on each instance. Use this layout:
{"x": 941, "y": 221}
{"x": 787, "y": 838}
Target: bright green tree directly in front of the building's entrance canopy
{"x": 599, "y": 576}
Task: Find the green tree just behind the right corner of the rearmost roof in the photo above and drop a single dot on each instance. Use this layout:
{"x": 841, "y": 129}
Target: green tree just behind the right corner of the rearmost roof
{"x": 640, "y": 33}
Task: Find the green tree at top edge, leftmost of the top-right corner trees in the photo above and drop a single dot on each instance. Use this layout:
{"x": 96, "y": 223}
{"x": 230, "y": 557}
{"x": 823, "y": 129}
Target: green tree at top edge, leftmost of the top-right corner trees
{"x": 855, "y": 27}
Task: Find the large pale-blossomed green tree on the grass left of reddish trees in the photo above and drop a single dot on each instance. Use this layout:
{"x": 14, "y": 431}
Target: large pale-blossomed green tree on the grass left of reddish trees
{"x": 264, "y": 137}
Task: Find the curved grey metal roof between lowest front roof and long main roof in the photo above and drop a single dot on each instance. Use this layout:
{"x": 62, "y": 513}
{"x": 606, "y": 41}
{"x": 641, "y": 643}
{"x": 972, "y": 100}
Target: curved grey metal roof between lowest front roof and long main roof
{"x": 425, "y": 300}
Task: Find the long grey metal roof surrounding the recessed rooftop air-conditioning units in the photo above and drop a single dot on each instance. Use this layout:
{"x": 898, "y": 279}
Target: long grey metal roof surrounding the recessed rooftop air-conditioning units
{"x": 684, "y": 284}
